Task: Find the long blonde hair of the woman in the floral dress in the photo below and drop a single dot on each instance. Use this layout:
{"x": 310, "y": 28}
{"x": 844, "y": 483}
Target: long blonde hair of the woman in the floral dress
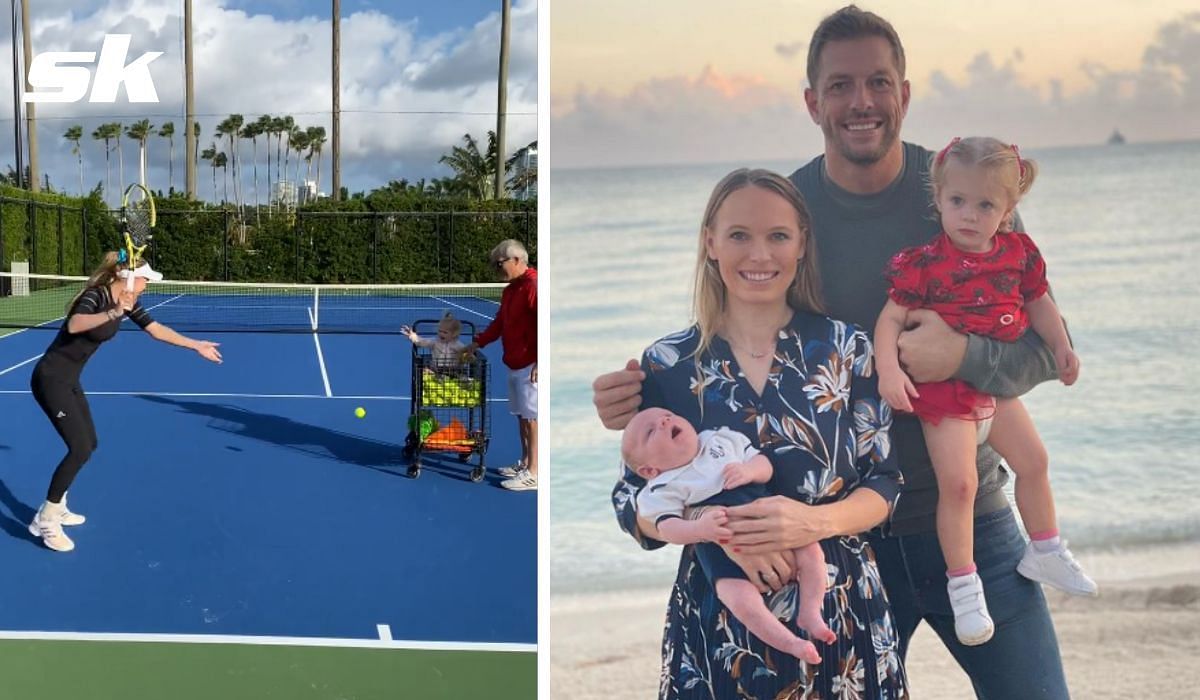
{"x": 710, "y": 294}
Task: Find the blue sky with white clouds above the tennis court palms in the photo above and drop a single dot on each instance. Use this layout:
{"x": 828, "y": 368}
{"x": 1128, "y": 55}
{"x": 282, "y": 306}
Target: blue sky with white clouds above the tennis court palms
{"x": 416, "y": 77}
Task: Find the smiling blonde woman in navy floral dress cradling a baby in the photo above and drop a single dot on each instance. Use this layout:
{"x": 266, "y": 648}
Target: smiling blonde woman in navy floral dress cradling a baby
{"x": 764, "y": 360}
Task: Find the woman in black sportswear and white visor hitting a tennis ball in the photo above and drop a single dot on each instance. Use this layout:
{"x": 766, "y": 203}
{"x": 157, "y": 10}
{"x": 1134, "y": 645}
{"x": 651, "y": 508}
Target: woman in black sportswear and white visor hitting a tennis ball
{"x": 94, "y": 318}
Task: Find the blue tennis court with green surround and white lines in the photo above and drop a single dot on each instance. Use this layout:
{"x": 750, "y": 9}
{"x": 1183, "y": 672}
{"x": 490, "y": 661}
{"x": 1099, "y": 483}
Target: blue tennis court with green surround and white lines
{"x": 247, "y": 535}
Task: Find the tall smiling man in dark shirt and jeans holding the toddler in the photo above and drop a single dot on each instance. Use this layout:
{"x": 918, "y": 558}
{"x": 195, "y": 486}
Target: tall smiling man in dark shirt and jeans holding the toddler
{"x": 868, "y": 199}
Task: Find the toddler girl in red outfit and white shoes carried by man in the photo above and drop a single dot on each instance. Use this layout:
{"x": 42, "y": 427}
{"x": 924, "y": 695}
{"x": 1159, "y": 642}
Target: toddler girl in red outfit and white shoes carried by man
{"x": 982, "y": 278}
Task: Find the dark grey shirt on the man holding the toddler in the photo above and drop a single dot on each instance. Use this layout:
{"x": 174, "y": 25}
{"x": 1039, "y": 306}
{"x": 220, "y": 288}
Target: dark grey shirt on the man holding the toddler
{"x": 856, "y": 236}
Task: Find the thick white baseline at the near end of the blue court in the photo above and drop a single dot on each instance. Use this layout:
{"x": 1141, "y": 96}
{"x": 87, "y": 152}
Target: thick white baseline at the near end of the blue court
{"x": 323, "y": 642}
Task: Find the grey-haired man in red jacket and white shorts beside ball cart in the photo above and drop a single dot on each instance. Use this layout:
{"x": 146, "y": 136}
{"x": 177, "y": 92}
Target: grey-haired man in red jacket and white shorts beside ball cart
{"x": 517, "y": 327}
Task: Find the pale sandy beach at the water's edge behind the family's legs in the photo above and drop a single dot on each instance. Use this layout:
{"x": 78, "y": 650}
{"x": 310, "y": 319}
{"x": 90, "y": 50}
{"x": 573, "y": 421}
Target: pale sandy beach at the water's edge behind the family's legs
{"x": 1139, "y": 639}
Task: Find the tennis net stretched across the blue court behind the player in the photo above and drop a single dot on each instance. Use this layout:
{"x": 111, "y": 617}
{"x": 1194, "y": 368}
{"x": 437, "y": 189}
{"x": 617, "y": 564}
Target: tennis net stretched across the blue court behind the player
{"x": 41, "y": 302}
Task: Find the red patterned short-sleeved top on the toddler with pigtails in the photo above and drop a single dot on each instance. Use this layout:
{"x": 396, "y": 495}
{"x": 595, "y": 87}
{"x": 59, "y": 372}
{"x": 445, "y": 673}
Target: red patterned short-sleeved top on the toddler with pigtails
{"x": 980, "y": 294}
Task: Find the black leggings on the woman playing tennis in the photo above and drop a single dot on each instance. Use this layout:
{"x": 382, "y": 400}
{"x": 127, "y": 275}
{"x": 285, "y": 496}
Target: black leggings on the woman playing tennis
{"x": 67, "y": 406}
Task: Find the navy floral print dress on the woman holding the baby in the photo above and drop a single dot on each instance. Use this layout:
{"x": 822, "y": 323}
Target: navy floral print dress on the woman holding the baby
{"x": 825, "y": 429}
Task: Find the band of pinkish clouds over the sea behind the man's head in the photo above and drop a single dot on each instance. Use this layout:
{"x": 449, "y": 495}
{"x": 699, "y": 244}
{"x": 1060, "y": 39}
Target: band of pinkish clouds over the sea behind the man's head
{"x": 736, "y": 119}
